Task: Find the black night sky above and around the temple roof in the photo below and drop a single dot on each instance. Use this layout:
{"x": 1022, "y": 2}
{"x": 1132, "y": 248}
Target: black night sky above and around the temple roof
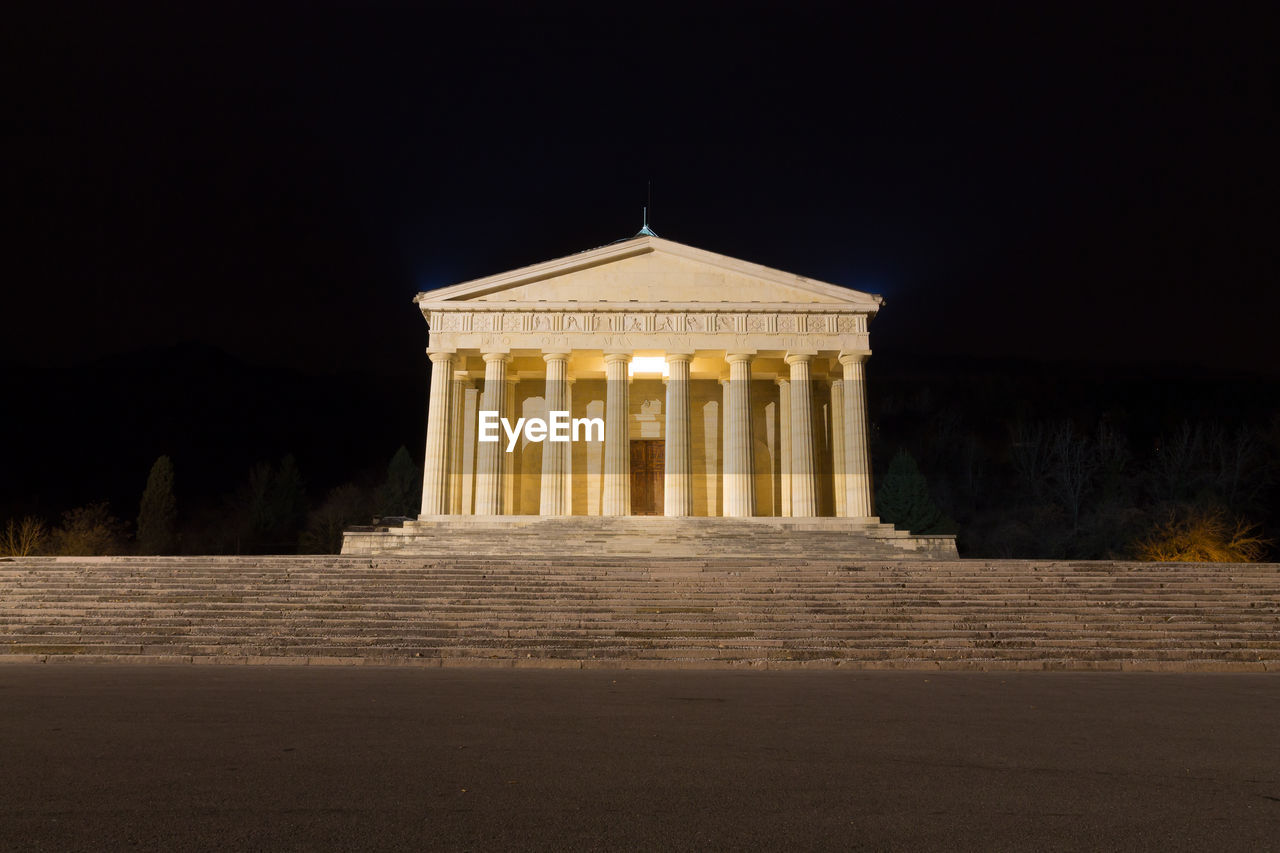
{"x": 1018, "y": 180}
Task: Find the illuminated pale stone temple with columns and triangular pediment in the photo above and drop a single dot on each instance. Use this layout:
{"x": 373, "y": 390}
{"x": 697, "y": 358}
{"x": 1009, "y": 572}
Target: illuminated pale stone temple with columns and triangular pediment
{"x": 726, "y": 390}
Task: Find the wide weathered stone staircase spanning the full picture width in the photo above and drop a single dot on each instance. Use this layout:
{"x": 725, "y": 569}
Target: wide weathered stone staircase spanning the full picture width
{"x": 609, "y": 612}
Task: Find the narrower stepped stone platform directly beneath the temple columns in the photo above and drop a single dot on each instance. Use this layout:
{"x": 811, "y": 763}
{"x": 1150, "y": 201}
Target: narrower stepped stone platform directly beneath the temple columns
{"x": 572, "y": 537}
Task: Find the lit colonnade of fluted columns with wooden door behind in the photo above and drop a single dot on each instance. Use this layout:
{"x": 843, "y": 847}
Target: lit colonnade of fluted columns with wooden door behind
{"x": 691, "y": 434}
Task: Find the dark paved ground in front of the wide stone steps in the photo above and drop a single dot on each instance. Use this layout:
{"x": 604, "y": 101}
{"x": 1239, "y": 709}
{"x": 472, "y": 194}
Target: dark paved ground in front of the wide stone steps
{"x": 118, "y": 758}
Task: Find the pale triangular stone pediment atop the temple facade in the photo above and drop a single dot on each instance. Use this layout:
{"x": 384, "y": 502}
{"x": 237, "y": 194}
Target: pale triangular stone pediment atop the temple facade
{"x": 650, "y": 271}
